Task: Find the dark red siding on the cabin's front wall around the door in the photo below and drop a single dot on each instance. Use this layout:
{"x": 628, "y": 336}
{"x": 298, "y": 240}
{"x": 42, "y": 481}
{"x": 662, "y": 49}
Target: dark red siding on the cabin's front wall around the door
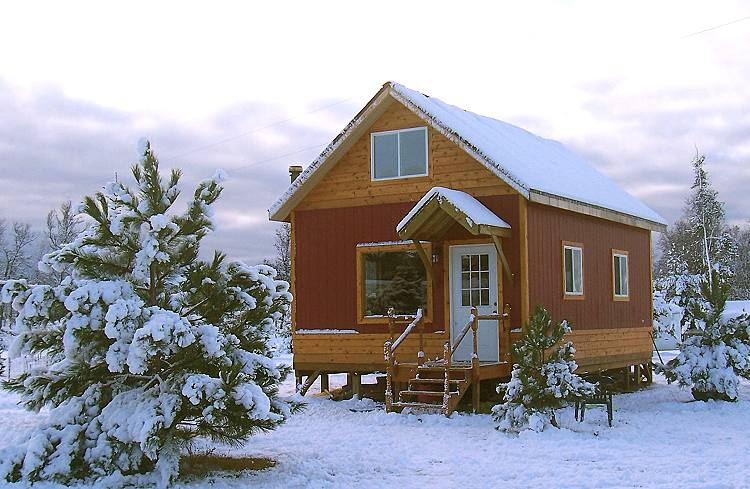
{"x": 325, "y": 261}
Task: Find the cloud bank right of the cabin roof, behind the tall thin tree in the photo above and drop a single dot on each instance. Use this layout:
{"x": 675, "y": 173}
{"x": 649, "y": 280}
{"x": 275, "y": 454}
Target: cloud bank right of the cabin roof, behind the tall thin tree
{"x": 645, "y": 139}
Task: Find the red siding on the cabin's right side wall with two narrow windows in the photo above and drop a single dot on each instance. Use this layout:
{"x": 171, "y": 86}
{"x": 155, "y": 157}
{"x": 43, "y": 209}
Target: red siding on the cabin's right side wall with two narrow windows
{"x": 547, "y": 228}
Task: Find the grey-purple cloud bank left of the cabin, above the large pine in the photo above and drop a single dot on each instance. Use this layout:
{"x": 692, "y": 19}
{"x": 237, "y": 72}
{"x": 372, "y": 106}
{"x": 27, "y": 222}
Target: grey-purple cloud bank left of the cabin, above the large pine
{"x": 55, "y": 148}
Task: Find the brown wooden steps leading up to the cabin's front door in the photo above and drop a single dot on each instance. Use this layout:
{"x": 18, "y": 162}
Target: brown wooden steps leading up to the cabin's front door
{"x": 427, "y": 393}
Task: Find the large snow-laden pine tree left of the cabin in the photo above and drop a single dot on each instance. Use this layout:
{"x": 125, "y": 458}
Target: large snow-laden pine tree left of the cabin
{"x": 155, "y": 347}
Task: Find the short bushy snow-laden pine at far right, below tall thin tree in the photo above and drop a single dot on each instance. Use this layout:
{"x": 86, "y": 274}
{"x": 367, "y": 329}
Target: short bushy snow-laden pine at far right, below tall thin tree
{"x": 717, "y": 351}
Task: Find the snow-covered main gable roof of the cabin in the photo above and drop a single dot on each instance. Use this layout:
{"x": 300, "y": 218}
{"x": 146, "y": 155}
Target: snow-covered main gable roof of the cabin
{"x": 528, "y": 163}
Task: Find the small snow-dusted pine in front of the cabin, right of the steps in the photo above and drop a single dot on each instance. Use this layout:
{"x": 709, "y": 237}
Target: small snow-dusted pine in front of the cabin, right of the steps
{"x": 543, "y": 378}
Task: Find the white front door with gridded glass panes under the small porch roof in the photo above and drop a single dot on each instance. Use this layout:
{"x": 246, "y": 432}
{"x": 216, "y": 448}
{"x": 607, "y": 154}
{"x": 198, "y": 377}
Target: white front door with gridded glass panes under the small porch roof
{"x": 473, "y": 282}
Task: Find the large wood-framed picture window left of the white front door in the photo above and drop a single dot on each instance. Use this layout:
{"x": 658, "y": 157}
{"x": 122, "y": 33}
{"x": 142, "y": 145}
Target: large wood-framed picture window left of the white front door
{"x": 391, "y": 275}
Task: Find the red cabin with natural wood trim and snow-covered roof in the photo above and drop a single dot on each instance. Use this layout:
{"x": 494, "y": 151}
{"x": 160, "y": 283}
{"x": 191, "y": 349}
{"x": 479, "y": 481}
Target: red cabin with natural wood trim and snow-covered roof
{"x": 424, "y": 235}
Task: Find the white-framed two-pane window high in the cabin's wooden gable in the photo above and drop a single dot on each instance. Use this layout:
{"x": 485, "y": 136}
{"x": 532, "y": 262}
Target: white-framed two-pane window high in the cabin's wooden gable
{"x": 399, "y": 154}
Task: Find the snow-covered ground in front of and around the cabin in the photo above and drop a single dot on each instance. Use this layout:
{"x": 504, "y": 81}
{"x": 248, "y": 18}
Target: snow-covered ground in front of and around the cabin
{"x": 659, "y": 439}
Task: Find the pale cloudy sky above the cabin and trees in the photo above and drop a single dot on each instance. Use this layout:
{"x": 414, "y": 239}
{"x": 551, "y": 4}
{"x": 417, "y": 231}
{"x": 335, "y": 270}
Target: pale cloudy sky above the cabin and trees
{"x": 635, "y": 87}
